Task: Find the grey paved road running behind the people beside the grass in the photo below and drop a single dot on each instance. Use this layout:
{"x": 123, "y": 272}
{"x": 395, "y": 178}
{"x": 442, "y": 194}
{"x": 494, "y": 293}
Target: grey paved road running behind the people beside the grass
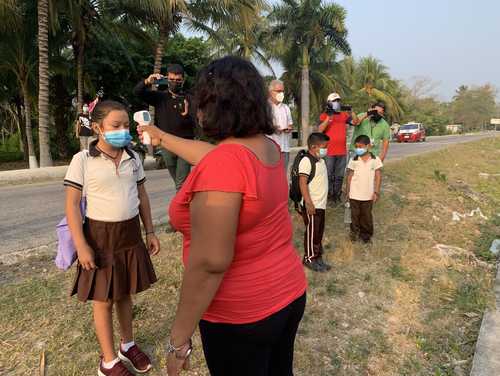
{"x": 29, "y": 213}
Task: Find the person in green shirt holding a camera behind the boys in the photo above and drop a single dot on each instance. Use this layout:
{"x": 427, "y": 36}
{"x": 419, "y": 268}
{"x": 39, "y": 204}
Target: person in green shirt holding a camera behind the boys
{"x": 373, "y": 125}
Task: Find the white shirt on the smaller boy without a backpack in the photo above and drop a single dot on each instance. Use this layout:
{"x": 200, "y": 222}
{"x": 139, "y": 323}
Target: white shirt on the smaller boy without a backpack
{"x": 363, "y": 179}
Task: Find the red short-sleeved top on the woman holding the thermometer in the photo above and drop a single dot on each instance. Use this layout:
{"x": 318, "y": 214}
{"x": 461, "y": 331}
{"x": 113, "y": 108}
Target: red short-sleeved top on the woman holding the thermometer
{"x": 266, "y": 273}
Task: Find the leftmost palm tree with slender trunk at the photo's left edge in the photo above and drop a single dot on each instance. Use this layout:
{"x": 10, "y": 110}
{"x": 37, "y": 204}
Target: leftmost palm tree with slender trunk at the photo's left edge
{"x": 17, "y": 57}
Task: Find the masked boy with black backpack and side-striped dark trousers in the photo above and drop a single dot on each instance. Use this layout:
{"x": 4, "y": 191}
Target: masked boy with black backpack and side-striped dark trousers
{"x": 315, "y": 196}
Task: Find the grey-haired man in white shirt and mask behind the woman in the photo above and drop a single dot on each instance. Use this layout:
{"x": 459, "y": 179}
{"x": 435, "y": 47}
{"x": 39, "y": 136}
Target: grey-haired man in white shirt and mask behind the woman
{"x": 282, "y": 119}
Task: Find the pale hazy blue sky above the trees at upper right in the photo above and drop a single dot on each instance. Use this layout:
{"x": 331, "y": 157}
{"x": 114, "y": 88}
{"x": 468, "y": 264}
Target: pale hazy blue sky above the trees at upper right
{"x": 452, "y": 42}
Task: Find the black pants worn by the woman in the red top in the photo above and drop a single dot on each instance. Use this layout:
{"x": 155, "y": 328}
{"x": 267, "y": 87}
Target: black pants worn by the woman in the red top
{"x": 263, "y": 348}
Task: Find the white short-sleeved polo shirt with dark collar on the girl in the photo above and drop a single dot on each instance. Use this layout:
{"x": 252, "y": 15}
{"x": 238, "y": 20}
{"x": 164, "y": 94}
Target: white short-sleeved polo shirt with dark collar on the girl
{"x": 112, "y": 194}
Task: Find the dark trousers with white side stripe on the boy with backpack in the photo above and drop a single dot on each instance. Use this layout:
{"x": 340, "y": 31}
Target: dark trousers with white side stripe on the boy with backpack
{"x": 313, "y": 236}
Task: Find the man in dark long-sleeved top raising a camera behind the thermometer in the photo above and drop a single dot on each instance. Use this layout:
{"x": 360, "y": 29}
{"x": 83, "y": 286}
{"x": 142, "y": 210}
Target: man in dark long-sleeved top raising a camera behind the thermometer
{"x": 172, "y": 114}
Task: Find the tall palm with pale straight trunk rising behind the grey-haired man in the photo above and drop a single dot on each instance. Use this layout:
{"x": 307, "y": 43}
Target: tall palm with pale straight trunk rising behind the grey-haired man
{"x": 304, "y": 26}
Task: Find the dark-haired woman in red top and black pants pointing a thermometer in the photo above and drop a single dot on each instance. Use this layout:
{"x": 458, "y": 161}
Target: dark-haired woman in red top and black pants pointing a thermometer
{"x": 243, "y": 284}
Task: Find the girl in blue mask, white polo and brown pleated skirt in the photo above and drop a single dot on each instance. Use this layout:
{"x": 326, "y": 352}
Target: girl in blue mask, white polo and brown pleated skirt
{"x": 113, "y": 260}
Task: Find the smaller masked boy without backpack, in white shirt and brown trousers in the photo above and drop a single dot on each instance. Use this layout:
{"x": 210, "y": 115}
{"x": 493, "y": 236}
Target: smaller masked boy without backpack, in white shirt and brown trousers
{"x": 363, "y": 188}
